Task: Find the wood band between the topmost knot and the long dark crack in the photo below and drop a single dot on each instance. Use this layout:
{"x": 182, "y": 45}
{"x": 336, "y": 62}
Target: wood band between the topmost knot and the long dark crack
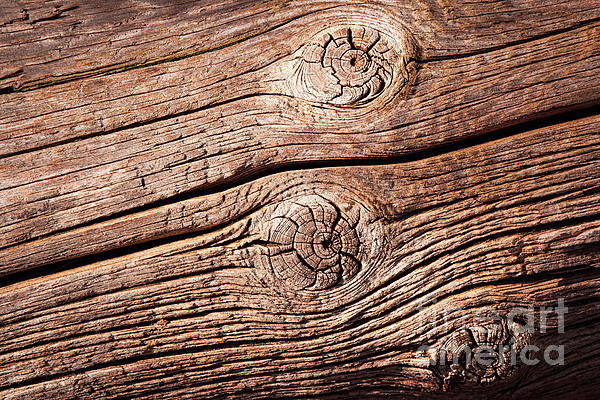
{"x": 82, "y": 181}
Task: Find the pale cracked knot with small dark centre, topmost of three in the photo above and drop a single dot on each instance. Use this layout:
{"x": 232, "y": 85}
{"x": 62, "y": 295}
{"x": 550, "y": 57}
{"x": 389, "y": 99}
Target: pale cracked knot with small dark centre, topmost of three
{"x": 347, "y": 66}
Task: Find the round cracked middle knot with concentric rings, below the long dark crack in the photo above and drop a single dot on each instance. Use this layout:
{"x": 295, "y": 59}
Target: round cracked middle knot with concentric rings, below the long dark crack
{"x": 313, "y": 246}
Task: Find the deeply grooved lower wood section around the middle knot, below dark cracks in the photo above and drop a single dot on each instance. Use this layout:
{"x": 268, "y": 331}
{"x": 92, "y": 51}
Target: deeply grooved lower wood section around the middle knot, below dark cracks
{"x": 513, "y": 222}
